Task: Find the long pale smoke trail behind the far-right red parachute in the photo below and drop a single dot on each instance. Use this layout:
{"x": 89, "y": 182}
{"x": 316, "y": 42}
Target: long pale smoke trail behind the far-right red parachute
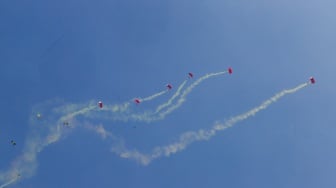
{"x": 190, "y": 137}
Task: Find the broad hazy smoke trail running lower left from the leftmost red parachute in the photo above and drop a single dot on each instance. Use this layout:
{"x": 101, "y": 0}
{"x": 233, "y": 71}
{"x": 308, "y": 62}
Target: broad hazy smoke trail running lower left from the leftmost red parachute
{"x": 39, "y": 138}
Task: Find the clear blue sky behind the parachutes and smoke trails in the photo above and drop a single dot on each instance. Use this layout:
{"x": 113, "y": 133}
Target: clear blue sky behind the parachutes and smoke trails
{"x": 53, "y": 54}
